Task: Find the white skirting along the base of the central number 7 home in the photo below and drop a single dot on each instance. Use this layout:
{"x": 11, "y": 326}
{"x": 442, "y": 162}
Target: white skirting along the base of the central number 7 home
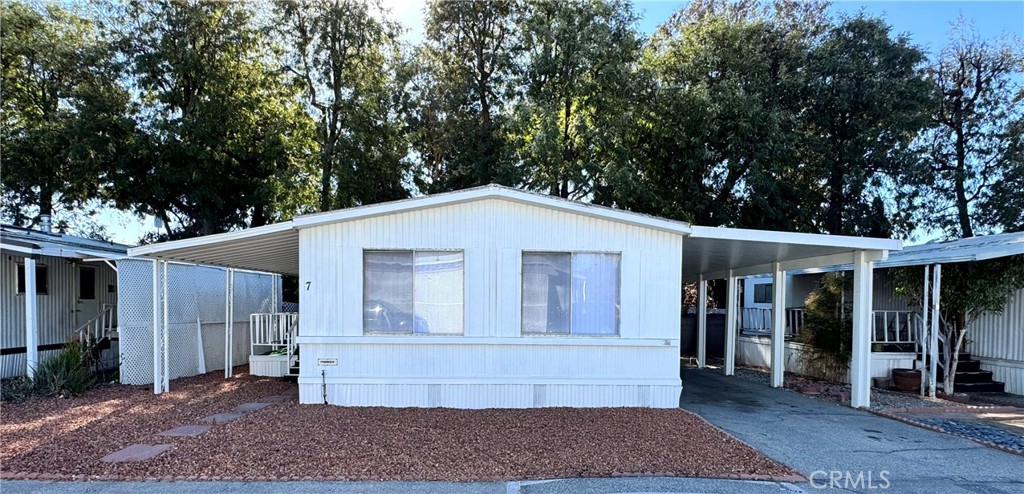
{"x": 491, "y": 396}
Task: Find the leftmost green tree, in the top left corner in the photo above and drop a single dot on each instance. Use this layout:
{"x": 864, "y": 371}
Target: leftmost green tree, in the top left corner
{"x": 63, "y": 112}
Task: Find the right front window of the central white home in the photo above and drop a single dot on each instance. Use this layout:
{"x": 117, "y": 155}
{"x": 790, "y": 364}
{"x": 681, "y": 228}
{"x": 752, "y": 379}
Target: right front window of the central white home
{"x": 571, "y": 294}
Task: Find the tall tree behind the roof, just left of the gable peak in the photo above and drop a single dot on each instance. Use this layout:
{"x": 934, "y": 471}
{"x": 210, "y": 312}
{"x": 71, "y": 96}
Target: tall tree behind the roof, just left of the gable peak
{"x": 461, "y": 94}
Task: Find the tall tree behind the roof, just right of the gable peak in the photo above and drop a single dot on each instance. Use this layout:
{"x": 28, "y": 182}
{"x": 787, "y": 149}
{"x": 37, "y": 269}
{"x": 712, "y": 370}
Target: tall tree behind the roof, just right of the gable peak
{"x": 579, "y": 79}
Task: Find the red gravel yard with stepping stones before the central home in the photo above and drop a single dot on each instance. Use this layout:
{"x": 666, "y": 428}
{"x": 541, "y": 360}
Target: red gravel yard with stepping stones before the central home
{"x": 289, "y": 441}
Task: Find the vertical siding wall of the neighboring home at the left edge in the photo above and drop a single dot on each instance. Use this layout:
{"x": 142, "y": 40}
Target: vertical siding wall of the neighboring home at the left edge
{"x": 57, "y": 314}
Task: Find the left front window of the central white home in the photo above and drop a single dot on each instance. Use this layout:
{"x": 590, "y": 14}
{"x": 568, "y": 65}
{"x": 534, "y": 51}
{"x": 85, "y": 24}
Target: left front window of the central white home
{"x": 413, "y": 293}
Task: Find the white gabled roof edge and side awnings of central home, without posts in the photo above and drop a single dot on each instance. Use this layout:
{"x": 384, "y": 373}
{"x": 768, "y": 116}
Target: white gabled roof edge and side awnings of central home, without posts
{"x": 711, "y": 252}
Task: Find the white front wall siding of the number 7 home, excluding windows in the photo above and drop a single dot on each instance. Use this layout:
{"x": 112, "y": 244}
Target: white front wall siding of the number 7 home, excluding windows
{"x": 489, "y": 365}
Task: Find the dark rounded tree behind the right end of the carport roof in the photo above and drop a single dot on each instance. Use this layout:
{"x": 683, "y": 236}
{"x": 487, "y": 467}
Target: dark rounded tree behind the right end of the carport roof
{"x": 868, "y": 101}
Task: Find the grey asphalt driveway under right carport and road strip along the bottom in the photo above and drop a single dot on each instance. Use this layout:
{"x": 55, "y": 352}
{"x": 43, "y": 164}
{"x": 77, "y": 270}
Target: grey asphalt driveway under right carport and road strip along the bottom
{"x": 840, "y": 449}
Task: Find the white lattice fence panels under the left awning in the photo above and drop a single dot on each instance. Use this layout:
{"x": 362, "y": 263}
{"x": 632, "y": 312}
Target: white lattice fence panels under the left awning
{"x": 196, "y": 311}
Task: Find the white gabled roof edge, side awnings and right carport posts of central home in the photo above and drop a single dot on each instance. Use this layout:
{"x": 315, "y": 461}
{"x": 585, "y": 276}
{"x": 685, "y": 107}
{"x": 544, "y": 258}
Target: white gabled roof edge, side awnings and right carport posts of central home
{"x": 708, "y": 254}
